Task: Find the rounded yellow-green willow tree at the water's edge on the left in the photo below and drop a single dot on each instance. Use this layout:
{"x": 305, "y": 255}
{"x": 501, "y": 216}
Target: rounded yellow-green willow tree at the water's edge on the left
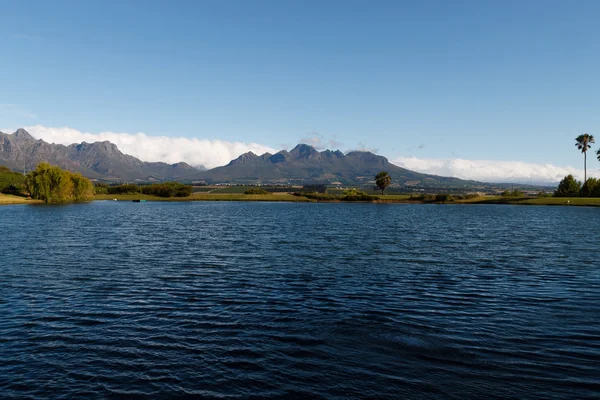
{"x": 51, "y": 184}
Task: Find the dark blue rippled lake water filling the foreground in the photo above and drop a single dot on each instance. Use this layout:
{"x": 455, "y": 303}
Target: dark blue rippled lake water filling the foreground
{"x": 278, "y": 300}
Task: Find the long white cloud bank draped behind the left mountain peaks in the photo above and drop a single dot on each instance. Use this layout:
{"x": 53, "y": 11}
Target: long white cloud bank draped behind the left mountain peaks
{"x": 196, "y": 152}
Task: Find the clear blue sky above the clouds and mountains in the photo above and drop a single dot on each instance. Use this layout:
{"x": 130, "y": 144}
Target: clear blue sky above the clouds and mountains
{"x": 501, "y": 80}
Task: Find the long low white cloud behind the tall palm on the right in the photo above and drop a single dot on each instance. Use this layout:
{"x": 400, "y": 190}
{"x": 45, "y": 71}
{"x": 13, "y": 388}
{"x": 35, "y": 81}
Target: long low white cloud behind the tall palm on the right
{"x": 494, "y": 171}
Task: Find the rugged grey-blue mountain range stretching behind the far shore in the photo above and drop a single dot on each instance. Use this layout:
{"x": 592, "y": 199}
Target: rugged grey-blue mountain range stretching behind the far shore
{"x": 303, "y": 164}
